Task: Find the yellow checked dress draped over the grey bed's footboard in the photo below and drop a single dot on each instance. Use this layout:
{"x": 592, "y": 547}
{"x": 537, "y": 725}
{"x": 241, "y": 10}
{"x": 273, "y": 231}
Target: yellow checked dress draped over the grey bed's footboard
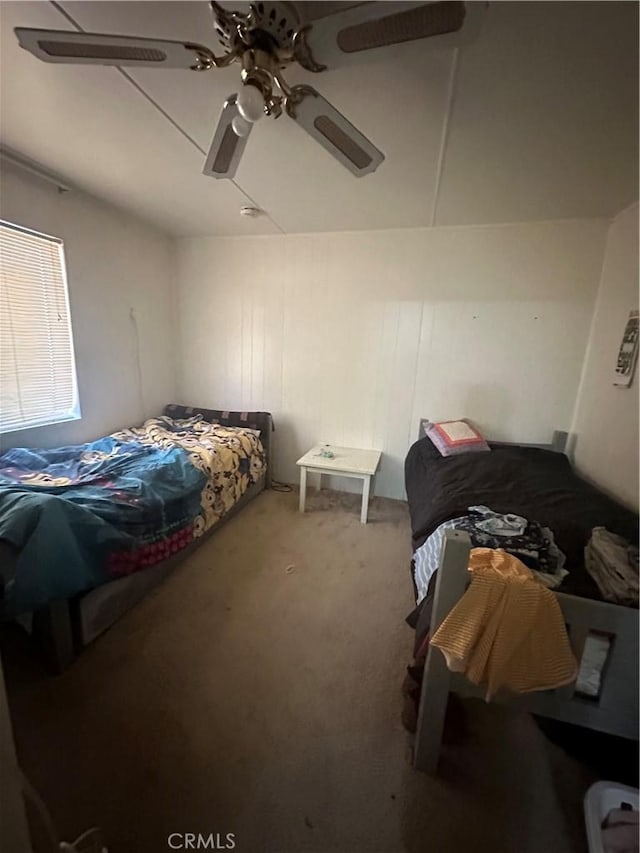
{"x": 507, "y": 630}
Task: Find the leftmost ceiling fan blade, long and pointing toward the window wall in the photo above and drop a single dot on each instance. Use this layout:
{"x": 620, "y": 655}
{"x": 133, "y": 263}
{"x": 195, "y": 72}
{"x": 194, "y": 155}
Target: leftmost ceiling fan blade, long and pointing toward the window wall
{"x": 94, "y": 49}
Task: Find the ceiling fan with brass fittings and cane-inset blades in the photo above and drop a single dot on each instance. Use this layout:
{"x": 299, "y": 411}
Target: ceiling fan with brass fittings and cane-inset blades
{"x": 265, "y": 40}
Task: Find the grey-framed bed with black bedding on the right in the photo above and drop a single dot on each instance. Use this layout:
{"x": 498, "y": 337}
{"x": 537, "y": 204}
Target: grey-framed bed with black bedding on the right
{"x": 536, "y": 482}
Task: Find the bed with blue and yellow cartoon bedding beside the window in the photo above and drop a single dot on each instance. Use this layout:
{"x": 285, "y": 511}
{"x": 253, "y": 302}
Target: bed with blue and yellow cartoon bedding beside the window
{"x": 86, "y": 532}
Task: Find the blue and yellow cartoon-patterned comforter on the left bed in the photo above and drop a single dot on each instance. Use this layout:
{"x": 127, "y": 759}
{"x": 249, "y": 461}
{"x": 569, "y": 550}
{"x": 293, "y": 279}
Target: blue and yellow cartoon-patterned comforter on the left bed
{"x": 80, "y": 516}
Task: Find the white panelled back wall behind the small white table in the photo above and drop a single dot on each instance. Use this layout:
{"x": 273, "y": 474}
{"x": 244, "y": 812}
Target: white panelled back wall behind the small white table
{"x": 351, "y": 338}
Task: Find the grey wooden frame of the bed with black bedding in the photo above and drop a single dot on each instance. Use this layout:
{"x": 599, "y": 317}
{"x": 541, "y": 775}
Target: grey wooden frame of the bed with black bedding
{"x": 614, "y": 711}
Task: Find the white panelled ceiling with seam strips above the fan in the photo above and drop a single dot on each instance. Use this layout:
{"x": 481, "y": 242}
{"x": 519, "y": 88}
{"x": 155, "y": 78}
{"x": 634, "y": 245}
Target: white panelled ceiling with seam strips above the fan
{"x": 537, "y": 119}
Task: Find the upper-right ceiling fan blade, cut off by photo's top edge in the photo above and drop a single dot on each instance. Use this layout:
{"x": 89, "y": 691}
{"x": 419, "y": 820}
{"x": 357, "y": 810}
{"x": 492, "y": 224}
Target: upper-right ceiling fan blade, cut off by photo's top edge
{"x": 340, "y": 38}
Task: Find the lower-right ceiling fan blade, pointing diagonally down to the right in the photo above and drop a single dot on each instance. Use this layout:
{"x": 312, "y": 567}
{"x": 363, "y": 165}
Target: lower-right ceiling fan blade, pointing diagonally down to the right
{"x": 335, "y": 133}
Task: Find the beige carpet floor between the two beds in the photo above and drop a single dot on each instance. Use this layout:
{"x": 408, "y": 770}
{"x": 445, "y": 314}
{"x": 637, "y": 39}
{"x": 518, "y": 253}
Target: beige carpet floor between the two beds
{"x": 245, "y": 696}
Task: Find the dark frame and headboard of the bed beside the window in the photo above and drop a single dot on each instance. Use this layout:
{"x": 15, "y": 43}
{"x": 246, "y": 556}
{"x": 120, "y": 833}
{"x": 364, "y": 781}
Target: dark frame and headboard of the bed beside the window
{"x": 64, "y": 627}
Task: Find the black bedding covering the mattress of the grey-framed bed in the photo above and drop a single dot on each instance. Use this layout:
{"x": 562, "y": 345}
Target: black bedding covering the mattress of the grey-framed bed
{"x": 538, "y": 484}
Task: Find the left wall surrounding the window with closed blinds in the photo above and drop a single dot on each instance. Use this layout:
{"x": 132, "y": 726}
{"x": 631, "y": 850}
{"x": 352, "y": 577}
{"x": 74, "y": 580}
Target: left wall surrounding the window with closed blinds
{"x": 115, "y": 263}
